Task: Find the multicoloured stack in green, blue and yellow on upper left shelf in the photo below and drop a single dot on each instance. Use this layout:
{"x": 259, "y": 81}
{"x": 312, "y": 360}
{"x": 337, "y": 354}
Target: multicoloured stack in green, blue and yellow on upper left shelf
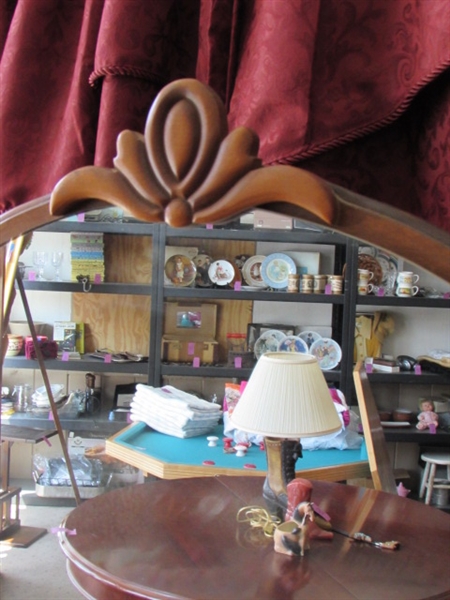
{"x": 87, "y": 256}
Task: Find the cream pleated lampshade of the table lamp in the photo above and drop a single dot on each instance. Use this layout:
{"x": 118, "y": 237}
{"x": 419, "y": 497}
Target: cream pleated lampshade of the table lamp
{"x": 286, "y": 397}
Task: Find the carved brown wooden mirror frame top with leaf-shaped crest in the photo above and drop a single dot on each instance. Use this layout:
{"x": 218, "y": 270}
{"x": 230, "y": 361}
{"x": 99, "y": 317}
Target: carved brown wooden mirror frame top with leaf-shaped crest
{"x": 188, "y": 169}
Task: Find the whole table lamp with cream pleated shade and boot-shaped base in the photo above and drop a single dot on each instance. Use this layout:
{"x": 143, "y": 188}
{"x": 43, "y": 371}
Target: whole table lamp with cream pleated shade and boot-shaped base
{"x": 285, "y": 399}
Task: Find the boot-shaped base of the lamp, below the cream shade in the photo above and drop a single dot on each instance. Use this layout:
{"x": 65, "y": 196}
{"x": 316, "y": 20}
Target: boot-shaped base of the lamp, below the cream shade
{"x": 281, "y": 458}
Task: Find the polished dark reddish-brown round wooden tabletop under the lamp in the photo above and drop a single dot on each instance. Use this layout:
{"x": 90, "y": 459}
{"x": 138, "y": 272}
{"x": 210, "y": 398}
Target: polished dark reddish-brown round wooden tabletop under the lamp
{"x": 181, "y": 539}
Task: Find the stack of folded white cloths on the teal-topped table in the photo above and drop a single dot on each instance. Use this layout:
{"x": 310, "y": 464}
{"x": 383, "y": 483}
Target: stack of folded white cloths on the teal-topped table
{"x": 173, "y": 411}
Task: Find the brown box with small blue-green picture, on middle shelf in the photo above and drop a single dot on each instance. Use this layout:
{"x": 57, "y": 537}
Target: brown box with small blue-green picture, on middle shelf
{"x": 189, "y": 333}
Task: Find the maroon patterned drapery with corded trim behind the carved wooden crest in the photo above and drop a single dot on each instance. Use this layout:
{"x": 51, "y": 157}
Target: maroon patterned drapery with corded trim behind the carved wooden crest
{"x": 357, "y": 91}
